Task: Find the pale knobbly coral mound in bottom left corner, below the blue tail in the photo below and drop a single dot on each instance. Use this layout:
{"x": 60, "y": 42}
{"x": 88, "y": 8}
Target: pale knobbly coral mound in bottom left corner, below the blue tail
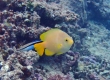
{"x": 18, "y": 65}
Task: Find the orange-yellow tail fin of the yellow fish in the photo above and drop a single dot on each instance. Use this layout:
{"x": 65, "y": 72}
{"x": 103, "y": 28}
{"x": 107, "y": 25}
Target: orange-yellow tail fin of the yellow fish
{"x": 39, "y": 47}
